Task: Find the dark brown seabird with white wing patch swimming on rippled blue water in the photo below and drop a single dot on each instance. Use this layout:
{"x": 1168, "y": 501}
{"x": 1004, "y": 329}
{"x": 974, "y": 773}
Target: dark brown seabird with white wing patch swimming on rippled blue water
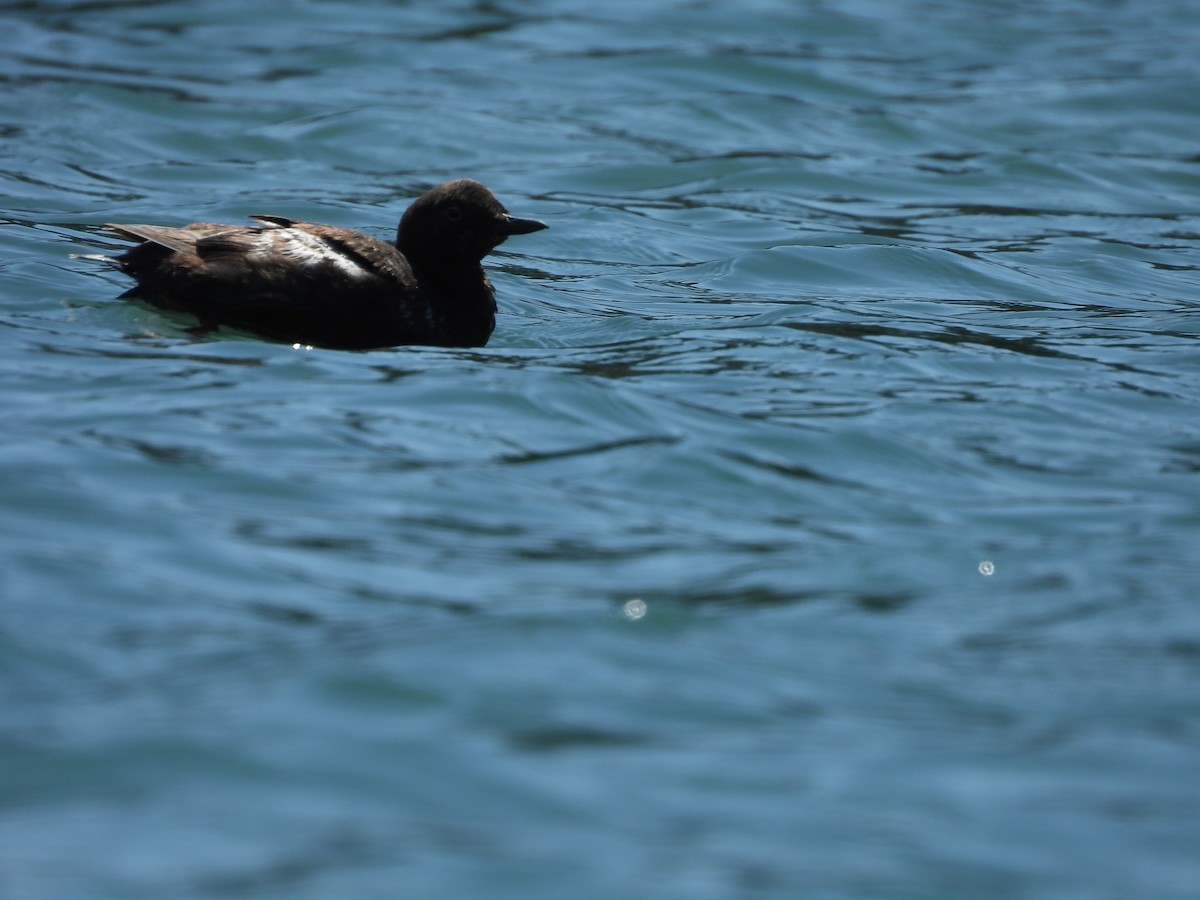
{"x": 325, "y": 286}
